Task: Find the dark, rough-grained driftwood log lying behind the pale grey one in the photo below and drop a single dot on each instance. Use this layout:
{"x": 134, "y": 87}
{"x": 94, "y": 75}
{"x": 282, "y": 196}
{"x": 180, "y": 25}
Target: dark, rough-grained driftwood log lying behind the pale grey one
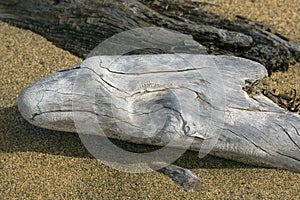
{"x": 79, "y": 25}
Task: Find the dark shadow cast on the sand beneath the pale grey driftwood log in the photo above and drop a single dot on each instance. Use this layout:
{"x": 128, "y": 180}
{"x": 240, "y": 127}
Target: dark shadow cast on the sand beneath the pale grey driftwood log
{"x": 17, "y": 135}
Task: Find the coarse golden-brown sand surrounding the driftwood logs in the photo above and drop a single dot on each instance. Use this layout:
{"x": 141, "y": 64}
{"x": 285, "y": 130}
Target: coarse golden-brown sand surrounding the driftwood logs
{"x": 40, "y": 164}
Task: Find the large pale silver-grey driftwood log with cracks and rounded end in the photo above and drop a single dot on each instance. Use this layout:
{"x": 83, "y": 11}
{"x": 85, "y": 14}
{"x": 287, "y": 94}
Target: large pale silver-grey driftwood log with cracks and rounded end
{"x": 199, "y": 97}
